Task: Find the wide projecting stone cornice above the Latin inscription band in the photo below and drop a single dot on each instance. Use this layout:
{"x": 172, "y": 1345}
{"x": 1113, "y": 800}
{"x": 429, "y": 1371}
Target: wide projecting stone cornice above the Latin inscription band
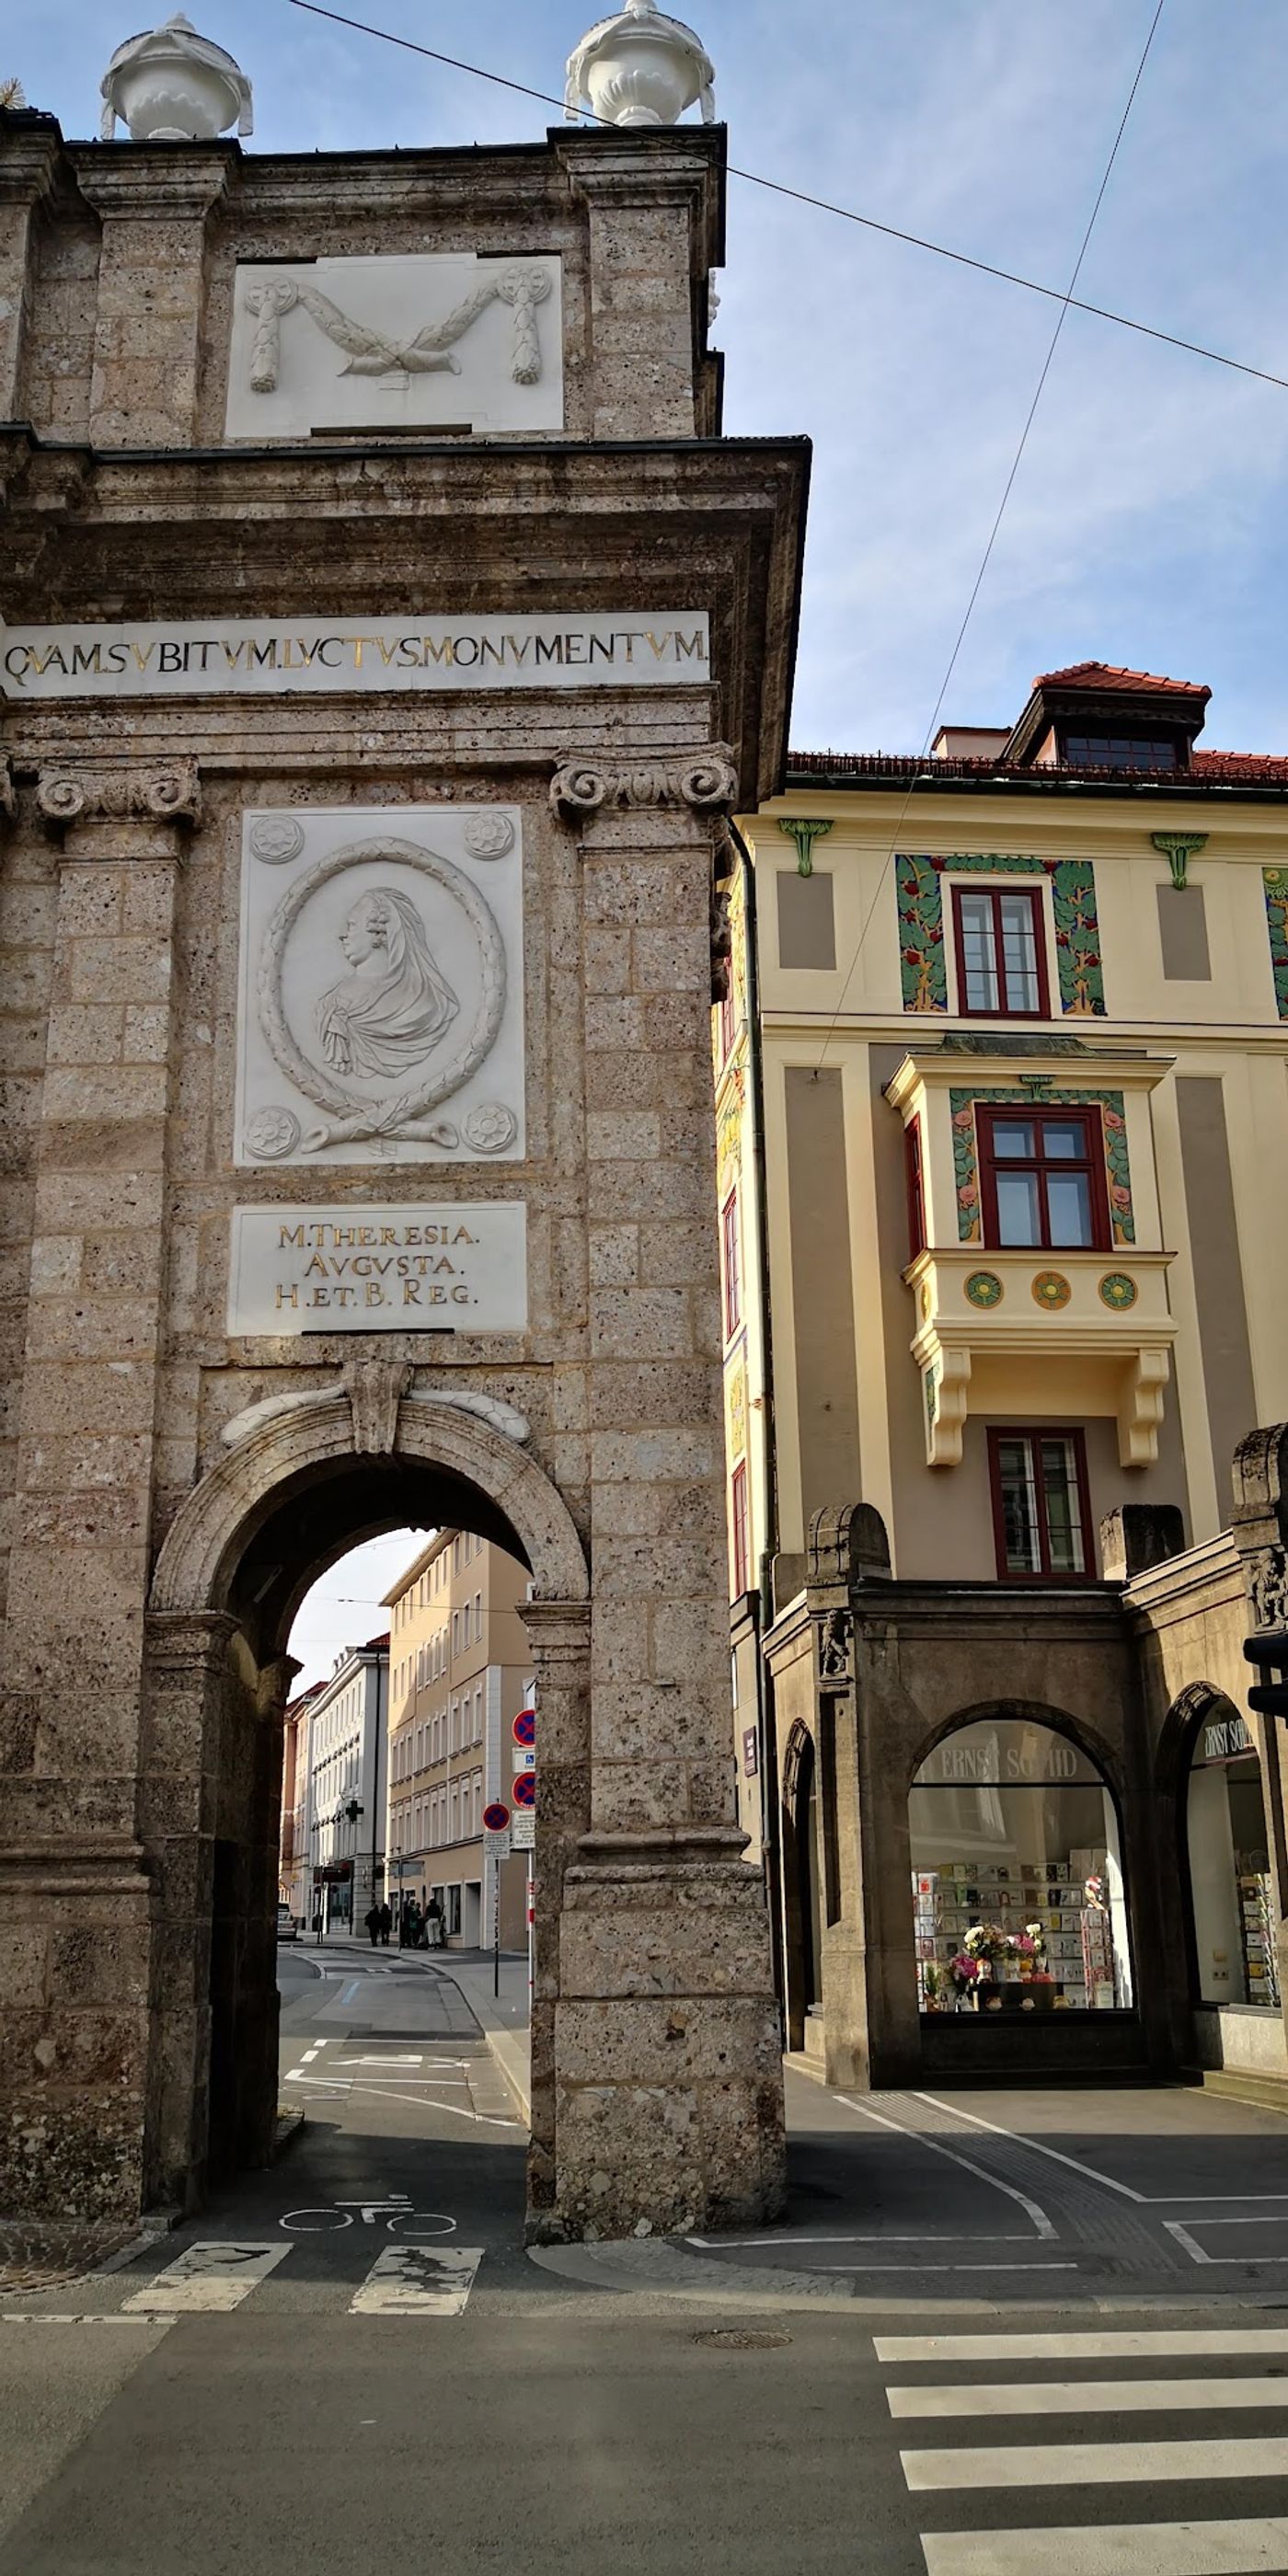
{"x": 316, "y": 527}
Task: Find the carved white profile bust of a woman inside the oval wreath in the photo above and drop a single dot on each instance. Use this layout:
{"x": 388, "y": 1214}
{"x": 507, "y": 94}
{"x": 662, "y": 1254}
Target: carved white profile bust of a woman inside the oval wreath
{"x": 395, "y": 1003}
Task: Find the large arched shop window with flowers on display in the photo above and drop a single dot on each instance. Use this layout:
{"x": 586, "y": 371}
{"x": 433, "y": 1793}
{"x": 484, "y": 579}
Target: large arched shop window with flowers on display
{"x": 1016, "y": 1877}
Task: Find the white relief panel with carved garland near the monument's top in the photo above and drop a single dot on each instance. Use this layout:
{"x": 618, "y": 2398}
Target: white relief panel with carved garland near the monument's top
{"x": 429, "y": 341}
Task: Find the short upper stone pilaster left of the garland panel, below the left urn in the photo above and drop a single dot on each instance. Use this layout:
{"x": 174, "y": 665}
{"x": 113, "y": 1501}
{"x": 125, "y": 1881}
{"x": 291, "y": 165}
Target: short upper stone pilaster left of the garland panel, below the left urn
{"x": 151, "y": 287}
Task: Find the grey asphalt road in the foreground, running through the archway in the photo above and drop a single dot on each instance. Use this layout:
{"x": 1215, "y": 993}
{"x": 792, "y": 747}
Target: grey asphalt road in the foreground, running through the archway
{"x": 349, "y": 2361}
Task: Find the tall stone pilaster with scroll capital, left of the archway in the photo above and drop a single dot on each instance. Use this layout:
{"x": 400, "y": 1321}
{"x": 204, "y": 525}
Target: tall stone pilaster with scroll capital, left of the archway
{"x": 81, "y": 1529}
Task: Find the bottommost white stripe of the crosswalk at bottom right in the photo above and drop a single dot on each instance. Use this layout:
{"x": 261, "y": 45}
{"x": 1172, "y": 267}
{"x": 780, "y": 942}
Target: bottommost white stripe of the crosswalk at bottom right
{"x": 1114, "y": 2549}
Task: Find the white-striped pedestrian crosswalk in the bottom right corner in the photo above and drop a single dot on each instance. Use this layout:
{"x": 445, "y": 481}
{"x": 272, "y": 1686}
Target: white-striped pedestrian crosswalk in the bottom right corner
{"x": 996, "y": 2387}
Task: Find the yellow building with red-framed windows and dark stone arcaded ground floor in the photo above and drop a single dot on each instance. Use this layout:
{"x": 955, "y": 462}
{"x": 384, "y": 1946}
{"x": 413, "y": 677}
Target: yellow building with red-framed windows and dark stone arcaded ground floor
{"x": 1003, "y": 1127}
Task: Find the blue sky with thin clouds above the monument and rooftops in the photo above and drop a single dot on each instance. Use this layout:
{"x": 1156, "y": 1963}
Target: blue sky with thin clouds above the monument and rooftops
{"x": 1148, "y": 522}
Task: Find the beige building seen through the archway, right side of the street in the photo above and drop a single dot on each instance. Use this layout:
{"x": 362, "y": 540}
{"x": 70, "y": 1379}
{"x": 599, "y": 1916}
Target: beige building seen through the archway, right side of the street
{"x": 460, "y": 1676}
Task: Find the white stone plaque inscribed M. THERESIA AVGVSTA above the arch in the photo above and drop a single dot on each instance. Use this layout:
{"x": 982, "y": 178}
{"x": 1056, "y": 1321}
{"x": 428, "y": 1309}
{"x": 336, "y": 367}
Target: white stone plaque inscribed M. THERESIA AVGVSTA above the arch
{"x": 437, "y": 1266}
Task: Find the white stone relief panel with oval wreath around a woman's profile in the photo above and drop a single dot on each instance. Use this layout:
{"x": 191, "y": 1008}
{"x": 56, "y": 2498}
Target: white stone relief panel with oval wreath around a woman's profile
{"x": 380, "y": 1003}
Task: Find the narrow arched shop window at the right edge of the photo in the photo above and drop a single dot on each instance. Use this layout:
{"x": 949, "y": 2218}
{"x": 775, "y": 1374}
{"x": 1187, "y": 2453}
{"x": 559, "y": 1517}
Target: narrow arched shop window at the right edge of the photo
{"x": 1230, "y": 1864}
